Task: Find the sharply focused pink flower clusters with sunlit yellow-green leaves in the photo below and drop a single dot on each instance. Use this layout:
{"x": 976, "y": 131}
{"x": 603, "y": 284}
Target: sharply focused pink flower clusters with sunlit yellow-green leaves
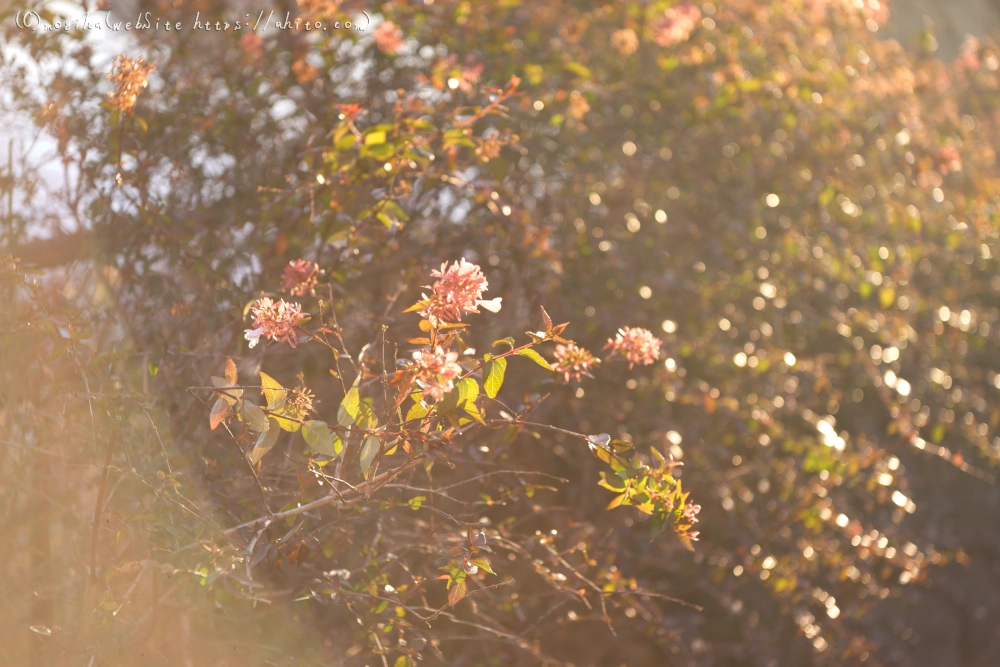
{"x": 448, "y": 402}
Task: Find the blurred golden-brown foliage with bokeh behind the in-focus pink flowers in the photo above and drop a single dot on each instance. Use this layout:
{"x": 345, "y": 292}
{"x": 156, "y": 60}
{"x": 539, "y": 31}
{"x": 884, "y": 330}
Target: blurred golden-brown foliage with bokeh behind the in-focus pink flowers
{"x": 804, "y": 212}
